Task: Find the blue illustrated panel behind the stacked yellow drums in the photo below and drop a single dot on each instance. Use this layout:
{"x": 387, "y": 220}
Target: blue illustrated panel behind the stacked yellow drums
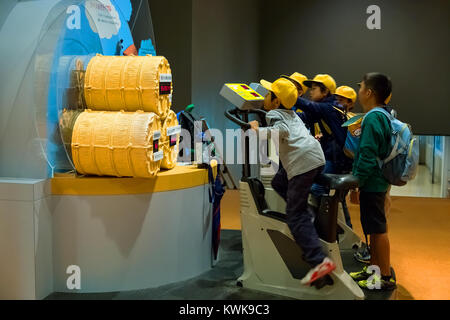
{"x": 89, "y": 27}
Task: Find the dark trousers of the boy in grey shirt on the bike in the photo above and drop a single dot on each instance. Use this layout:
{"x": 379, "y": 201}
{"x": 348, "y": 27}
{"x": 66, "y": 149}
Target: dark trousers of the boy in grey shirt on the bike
{"x": 300, "y": 218}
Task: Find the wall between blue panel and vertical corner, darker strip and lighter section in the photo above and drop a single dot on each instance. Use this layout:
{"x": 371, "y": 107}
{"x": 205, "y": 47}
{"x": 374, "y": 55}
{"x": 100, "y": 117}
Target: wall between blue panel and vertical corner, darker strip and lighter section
{"x": 208, "y": 43}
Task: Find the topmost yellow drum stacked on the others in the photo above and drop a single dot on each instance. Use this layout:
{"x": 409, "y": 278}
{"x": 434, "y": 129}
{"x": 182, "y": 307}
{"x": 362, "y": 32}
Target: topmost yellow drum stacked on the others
{"x": 129, "y": 83}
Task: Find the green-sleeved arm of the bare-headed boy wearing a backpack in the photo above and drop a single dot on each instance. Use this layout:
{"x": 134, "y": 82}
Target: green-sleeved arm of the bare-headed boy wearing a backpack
{"x": 372, "y": 137}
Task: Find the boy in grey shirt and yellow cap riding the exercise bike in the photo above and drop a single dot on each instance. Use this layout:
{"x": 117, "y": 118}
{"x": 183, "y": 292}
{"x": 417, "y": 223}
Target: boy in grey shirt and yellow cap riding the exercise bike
{"x": 301, "y": 160}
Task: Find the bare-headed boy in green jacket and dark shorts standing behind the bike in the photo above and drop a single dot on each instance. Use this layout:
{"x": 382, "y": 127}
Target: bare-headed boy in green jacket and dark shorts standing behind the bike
{"x": 375, "y": 143}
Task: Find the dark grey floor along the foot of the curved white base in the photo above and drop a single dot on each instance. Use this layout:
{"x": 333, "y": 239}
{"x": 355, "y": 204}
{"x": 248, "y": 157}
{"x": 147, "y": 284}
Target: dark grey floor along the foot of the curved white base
{"x": 217, "y": 284}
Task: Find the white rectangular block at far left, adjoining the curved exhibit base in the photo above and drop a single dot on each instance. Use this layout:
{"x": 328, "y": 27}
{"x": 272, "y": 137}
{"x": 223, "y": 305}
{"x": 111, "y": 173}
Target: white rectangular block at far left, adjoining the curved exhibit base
{"x": 26, "y": 270}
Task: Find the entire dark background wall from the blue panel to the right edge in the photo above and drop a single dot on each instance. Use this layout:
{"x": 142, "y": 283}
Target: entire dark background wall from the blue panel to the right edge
{"x": 212, "y": 42}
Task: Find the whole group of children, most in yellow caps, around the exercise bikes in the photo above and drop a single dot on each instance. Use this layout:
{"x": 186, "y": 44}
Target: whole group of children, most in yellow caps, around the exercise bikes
{"x": 312, "y": 141}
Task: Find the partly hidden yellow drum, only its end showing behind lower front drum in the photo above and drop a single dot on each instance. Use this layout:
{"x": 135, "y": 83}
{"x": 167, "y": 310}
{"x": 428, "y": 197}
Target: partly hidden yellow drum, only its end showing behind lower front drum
{"x": 170, "y": 139}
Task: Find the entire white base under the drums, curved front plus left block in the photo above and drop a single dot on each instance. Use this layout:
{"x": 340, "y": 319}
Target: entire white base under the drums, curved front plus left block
{"x": 119, "y": 243}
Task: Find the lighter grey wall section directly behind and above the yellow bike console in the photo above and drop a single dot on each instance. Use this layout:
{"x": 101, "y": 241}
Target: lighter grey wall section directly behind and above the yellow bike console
{"x": 225, "y": 40}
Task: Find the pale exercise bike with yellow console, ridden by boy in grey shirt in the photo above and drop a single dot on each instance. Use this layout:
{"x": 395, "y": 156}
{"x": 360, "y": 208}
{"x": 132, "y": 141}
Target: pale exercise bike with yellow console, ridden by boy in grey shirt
{"x": 272, "y": 259}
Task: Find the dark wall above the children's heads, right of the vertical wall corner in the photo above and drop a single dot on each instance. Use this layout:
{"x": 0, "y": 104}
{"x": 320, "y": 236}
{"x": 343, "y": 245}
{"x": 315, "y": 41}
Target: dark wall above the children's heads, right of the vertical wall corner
{"x": 325, "y": 36}
